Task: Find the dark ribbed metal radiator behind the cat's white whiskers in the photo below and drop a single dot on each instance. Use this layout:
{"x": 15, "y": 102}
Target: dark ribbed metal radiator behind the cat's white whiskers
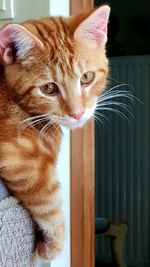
{"x": 123, "y": 162}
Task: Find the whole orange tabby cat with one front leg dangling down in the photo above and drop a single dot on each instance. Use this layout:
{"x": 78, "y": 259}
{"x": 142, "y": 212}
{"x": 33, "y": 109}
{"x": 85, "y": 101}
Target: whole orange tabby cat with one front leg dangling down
{"x": 51, "y": 73}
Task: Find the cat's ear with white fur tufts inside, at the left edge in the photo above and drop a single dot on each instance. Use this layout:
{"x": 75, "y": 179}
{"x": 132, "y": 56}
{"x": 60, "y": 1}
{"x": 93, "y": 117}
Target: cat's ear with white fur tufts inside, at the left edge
{"x": 16, "y": 41}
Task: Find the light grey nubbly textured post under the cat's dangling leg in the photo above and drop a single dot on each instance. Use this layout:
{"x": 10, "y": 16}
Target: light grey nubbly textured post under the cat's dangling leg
{"x": 17, "y": 238}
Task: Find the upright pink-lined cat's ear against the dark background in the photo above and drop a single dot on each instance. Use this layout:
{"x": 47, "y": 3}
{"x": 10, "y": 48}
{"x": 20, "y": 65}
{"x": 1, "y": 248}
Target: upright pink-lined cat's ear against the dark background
{"x": 94, "y": 28}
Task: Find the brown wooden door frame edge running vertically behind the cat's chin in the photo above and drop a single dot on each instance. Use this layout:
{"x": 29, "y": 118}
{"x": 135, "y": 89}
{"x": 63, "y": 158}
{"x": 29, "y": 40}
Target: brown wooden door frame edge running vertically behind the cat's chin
{"x": 82, "y": 182}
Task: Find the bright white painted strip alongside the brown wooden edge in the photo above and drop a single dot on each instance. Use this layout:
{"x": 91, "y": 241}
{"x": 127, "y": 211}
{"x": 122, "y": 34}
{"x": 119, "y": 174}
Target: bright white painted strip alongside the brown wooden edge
{"x": 62, "y": 7}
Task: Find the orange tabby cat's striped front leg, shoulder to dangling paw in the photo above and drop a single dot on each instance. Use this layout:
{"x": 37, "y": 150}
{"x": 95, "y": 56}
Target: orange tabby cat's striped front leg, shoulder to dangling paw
{"x": 28, "y": 169}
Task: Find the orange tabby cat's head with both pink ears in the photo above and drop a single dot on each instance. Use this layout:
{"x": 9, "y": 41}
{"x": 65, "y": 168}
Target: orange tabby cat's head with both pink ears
{"x": 57, "y": 66}
